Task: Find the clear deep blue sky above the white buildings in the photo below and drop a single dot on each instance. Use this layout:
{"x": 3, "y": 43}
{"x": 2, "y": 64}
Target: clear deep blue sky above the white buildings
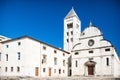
{"x": 43, "y": 19}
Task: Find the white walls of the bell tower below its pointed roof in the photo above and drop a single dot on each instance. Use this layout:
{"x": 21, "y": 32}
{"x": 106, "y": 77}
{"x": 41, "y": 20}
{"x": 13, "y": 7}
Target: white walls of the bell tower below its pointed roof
{"x": 68, "y": 45}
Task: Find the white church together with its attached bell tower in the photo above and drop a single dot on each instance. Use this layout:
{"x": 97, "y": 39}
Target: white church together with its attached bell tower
{"x": 91, "y": 54}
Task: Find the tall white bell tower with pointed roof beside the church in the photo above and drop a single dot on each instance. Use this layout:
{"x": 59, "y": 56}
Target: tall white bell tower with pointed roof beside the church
{"x": 72, "y": 29}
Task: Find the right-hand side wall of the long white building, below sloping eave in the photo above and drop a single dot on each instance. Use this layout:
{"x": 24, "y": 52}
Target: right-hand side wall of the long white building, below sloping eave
{"x": 58, "y": 69}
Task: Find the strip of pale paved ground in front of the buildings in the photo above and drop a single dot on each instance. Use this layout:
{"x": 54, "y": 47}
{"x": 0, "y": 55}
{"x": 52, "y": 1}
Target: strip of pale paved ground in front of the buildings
{"x": 68, "y": 78}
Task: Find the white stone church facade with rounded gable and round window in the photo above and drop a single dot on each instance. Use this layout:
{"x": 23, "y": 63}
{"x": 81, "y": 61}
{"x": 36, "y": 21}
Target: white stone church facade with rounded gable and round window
{"x": 94, "y": 56}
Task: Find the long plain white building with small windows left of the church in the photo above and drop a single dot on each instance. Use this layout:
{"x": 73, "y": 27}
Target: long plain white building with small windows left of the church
{"x": 26, "y": 56}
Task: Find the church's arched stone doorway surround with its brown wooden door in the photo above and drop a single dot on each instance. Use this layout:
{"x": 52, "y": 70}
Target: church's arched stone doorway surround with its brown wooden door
{"x": 90, "y": 67}
